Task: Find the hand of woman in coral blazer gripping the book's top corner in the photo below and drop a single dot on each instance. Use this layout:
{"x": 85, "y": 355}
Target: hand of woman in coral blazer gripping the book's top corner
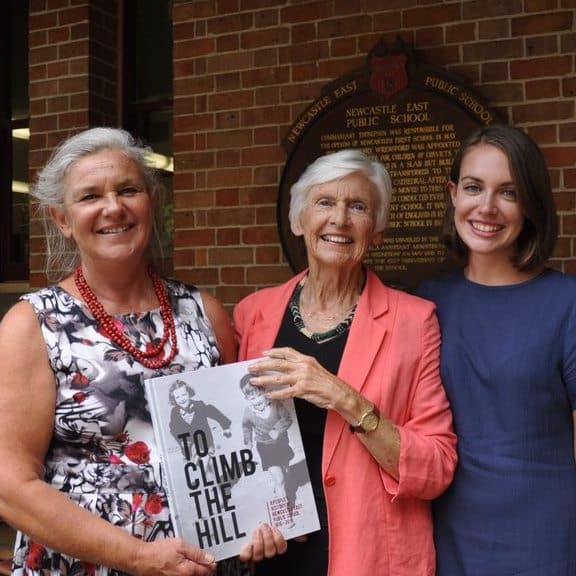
{"x": 299, "y": 375}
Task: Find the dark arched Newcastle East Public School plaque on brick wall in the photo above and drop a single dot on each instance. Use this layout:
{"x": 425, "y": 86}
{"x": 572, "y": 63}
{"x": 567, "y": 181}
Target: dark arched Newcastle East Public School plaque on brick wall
{"x": 412, "y": 117}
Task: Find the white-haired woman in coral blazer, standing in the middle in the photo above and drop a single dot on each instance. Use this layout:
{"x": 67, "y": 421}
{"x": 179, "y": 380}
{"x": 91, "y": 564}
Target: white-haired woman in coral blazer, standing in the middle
{"x": 361, "y": 361}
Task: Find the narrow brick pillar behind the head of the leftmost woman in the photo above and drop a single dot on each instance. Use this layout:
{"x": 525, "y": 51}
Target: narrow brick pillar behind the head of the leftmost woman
{"x": 73, "y": 72}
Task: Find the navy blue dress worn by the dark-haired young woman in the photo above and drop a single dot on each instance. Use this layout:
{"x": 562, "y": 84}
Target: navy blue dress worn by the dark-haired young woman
{"x": 509, "y": 367}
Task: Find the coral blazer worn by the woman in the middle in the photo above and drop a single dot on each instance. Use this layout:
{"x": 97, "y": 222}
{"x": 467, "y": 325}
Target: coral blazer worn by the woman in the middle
{"x": 377, "y": 525}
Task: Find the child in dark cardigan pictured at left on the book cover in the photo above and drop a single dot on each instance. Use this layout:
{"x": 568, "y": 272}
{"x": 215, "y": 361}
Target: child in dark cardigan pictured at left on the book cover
{"x": 189, "y": 416}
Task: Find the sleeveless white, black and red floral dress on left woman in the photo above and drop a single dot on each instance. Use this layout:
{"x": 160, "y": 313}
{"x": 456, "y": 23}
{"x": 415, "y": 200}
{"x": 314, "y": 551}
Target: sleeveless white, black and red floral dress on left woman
{"x": 103, "y": 454}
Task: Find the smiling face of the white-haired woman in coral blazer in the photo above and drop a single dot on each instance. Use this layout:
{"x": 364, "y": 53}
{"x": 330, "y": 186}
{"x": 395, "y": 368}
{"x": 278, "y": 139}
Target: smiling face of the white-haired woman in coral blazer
{"x": 337, "y": 222}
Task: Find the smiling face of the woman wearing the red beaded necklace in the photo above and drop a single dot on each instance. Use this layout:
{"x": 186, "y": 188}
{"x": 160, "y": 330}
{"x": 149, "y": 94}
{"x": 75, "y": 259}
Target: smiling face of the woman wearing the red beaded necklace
{"x": 107, "y": 208}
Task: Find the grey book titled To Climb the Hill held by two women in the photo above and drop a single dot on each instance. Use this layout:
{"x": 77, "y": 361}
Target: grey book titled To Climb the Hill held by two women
{"x": 231, "y": 458}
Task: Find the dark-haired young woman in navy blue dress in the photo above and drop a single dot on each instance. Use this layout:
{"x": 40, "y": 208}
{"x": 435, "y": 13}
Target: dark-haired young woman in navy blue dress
{"x": 508, "y": 324}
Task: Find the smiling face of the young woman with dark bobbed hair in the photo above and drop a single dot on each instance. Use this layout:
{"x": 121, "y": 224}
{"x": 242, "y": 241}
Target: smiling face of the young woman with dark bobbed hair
{"x": 487, "y": 215}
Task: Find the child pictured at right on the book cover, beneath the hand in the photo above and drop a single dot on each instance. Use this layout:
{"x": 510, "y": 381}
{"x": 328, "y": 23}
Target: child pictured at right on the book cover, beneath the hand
{"x": 265, "y": 425}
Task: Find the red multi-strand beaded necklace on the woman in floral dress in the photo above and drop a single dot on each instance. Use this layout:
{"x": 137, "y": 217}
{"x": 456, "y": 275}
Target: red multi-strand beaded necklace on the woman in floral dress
{"x": 153, "y": 357}
